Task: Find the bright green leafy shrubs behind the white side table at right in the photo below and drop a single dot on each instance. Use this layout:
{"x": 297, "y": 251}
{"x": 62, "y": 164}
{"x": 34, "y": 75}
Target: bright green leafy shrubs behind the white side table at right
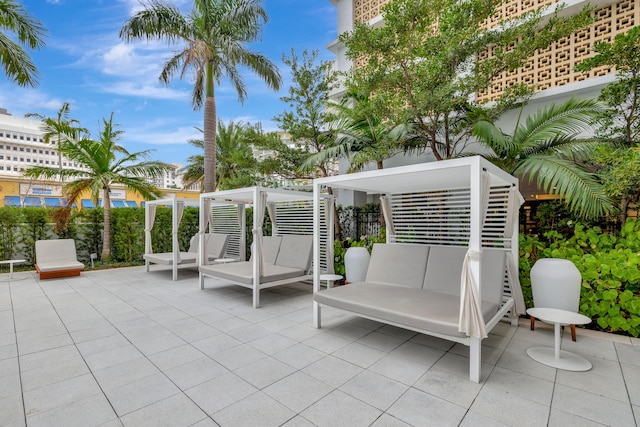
{"x": 609, "y": 265}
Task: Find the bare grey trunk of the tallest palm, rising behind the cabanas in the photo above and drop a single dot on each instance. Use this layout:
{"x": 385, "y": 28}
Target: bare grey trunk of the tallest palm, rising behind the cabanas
{"x": 209, "y": 133}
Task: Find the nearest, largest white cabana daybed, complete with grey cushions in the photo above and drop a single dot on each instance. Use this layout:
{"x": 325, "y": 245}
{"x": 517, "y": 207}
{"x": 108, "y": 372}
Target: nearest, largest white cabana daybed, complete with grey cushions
{"x": 449, "y": 267}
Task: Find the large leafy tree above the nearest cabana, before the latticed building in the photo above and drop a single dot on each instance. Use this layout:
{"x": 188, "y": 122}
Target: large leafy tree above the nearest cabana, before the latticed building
{"x": 430, "y": 57}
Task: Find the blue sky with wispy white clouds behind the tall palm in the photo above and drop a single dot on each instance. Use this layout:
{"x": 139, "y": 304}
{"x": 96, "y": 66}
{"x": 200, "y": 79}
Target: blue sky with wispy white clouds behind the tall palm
{"x": 86, "y": 64}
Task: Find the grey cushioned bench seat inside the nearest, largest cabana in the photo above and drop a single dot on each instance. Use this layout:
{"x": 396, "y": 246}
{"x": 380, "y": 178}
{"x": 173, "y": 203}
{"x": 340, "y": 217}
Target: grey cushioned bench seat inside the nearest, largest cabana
{"x": 417, "y": 287}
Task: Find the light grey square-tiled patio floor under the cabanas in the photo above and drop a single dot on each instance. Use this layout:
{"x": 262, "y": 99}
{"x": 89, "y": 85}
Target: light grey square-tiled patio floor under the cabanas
{"x": 125, "y": 347}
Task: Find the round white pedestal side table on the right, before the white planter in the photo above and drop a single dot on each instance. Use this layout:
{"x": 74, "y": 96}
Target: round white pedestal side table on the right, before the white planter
{"x": 555, "y": 357}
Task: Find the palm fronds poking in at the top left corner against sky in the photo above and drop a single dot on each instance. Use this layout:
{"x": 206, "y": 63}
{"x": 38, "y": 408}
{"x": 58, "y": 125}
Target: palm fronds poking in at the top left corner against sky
{"x": 30, "y": 32}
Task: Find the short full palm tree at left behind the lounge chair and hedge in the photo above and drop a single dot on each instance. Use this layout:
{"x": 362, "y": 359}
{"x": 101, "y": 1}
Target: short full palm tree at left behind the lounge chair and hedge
{"x": 100, "y": 168}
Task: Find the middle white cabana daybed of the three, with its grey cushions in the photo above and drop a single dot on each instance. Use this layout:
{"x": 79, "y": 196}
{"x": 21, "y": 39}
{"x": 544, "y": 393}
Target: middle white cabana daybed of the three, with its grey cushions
{"x": 285, "y": 257}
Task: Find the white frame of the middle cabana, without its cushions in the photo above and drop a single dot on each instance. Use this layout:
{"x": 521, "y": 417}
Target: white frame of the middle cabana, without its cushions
{"x": 291, "y": 213}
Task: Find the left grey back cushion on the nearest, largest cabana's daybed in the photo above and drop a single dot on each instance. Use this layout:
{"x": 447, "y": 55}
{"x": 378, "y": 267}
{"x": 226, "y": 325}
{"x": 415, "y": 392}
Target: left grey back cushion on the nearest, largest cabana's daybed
{"x": 398, "y": 264}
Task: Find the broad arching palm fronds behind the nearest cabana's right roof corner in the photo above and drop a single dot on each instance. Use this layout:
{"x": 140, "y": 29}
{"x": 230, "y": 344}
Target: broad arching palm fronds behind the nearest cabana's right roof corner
{"x": 546, "y": 147}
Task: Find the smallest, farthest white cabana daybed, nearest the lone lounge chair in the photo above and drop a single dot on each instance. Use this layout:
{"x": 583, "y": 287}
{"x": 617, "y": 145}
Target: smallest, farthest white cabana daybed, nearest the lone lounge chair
{"x": 216, "y": 243}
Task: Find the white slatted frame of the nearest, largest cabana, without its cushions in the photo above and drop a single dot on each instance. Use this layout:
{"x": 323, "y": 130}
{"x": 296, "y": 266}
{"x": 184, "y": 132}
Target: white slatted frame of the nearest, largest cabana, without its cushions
{"x": 443, "y": 204}
